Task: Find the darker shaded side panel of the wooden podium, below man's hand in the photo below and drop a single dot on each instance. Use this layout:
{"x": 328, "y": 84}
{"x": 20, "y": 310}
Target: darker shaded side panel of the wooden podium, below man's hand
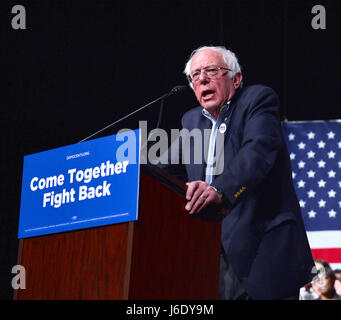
{"x": 174, "y": 255}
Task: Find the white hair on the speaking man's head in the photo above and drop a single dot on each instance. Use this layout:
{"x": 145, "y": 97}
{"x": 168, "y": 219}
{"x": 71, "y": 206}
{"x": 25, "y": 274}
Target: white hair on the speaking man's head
{"x": 228, "y": 56}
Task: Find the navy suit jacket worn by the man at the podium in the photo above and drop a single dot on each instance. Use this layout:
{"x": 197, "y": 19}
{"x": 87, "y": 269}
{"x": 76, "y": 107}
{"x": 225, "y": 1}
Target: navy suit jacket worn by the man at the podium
{"x": 263, "y": 234}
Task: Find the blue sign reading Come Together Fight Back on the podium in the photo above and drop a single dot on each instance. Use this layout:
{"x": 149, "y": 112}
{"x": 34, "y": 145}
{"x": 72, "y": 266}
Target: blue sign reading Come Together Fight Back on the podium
{"x": 80, "y": 186}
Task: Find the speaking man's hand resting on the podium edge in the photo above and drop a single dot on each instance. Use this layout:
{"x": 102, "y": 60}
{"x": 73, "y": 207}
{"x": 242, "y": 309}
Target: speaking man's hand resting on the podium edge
{"x": 199, "y": 195}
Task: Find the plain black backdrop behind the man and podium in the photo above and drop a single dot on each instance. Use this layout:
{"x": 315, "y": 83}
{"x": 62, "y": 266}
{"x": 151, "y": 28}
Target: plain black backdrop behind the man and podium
{"x": 81, "y": 65}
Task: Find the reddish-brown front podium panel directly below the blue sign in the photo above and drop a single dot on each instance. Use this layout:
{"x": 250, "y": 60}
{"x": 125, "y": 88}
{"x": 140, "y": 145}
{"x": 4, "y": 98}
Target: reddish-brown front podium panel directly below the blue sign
{"x": 83, "y": 264}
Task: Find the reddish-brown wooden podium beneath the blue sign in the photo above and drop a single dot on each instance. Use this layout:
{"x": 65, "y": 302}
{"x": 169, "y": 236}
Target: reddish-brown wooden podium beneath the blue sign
{"x": 165, "y": 255}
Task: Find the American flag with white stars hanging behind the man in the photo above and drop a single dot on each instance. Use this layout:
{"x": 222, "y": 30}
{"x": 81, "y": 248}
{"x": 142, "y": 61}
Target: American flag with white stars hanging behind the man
{"x": 315, "y": 153}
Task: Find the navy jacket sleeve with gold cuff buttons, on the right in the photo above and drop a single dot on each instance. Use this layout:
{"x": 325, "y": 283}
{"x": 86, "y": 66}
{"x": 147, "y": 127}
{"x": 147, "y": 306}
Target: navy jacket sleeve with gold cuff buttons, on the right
{"x": 261, "y": 140}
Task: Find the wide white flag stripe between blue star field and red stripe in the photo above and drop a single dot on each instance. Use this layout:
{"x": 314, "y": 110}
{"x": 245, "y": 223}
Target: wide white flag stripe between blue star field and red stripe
{"x": 324, "y": 239}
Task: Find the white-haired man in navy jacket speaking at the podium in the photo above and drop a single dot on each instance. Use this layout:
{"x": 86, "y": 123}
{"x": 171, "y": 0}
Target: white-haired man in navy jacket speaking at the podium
{"x": 264, "y": 249}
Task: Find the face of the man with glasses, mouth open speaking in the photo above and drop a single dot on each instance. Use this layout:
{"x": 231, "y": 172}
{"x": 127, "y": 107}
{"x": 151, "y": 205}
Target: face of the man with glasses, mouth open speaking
{"x": 212, "y": 93}
